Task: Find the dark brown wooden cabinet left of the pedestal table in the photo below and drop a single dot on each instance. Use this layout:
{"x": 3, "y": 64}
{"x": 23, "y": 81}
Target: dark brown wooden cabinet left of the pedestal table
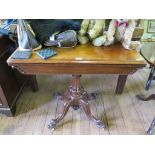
{"x": 11, "y": 81}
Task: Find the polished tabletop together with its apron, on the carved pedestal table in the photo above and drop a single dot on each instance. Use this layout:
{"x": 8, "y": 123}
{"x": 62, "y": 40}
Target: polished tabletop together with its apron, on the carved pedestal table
{"x": 83, "y": 59}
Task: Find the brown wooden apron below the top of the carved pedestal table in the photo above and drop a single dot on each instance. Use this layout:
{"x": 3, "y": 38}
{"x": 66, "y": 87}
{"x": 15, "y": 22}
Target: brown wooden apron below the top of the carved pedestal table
{"x": 76, "y": 68}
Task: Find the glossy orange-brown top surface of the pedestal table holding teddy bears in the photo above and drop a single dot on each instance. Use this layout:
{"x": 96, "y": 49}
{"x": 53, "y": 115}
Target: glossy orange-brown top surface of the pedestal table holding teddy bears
{"x": 89, "y": 54}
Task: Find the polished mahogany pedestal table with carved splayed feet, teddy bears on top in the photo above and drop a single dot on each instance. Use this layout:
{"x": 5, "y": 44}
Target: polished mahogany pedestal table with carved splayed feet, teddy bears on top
{"x": 82, "y": 59}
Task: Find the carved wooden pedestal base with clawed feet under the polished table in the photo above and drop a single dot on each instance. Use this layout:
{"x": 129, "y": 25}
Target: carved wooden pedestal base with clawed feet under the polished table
{"x": 75, "y": 97}
